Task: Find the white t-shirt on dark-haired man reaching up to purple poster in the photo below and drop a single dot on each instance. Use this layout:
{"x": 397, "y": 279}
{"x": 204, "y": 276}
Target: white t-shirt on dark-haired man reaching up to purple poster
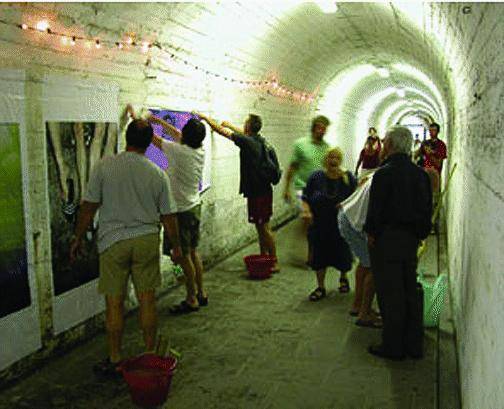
{"x": 185, "y": 170}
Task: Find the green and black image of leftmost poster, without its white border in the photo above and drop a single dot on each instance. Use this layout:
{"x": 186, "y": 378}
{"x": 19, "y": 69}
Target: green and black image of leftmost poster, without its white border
{"x": 14, "y": 282}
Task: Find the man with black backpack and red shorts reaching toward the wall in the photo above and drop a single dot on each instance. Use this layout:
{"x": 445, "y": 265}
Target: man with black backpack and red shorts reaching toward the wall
{"x": 259, "y": 169}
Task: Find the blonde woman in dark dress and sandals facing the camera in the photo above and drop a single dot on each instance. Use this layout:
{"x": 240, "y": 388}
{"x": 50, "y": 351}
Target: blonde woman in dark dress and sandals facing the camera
{"x": 324, "y": 191}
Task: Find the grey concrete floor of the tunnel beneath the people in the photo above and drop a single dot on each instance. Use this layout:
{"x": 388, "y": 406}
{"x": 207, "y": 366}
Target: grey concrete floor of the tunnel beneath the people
{"x": 259, "y": 344}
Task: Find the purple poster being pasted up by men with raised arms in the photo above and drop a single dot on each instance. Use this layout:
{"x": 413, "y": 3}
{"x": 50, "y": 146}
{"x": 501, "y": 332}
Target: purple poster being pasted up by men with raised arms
{"x": 178, "y": 119}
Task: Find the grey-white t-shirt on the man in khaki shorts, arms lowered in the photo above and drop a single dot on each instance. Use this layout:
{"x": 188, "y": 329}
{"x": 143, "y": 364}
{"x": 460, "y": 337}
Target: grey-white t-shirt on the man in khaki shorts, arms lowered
{"x": 133, "y": 193}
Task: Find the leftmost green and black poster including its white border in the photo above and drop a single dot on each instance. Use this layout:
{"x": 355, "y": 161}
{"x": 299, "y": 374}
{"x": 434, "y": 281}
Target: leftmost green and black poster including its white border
{"x": 19, "y": 310}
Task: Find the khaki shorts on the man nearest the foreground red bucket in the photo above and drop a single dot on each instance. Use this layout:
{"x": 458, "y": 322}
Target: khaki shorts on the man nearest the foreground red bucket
{"x": 138, "y": 257}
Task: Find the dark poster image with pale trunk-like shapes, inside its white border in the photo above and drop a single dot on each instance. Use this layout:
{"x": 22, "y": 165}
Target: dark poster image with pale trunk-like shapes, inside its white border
{"x": 73, "y": 149}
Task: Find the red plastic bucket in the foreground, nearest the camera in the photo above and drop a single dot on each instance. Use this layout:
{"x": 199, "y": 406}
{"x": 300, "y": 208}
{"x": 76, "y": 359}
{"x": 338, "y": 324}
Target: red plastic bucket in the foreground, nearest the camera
{"x": 149, "y": 377}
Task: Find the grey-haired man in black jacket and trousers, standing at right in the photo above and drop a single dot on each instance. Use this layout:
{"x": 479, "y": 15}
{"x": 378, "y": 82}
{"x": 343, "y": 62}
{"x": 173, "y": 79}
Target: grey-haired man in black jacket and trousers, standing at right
{"x": 399, "y": 217}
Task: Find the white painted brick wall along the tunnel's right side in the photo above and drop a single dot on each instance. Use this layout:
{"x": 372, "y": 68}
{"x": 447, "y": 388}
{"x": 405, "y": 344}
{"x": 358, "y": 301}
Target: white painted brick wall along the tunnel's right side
{"x": 474, "y": 53}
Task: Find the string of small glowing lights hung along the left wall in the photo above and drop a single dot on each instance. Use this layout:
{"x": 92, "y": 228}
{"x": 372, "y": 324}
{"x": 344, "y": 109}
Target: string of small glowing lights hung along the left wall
{"x": 271, "y": 85}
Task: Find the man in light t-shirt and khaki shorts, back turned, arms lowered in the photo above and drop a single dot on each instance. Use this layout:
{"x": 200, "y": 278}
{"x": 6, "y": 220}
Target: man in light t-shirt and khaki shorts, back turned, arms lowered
{"x": 133, "y": 196}
